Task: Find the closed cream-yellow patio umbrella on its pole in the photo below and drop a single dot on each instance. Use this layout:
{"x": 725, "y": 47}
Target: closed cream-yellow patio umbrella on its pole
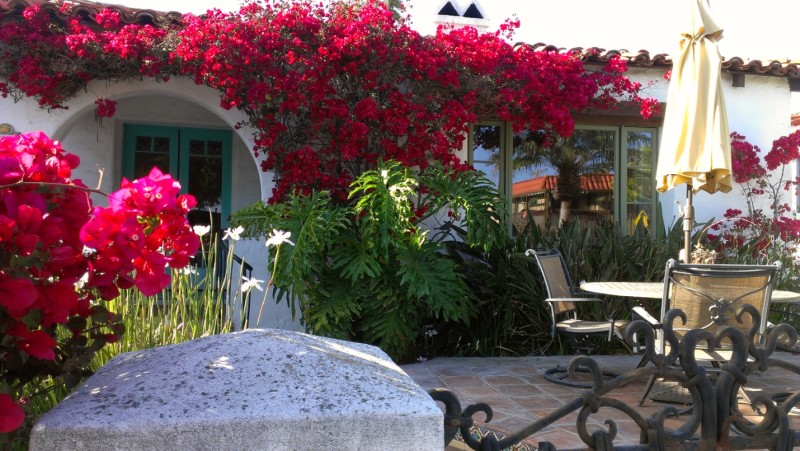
{"x": 695, "y": 145}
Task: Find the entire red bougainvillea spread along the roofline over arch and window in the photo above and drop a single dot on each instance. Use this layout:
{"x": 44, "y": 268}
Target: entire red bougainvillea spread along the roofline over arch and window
{"x": 329, "y": 90}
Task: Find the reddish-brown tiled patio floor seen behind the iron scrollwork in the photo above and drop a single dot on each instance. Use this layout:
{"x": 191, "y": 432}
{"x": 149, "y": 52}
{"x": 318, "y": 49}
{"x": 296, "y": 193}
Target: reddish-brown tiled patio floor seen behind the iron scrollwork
{"x": 516, "y": 390}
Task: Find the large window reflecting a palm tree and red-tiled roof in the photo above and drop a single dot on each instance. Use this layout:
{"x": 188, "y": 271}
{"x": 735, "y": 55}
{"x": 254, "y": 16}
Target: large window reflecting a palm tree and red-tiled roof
{"x": 600, "y": 172}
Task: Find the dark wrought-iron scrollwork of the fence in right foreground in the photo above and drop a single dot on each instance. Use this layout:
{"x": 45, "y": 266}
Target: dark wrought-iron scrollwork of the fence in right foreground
{"x": 712, "y": 422}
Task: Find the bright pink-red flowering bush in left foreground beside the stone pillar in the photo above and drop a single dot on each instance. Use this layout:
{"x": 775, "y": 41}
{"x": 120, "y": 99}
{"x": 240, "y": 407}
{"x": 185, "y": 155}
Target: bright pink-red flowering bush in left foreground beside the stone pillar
{"x": 60, "y": 258}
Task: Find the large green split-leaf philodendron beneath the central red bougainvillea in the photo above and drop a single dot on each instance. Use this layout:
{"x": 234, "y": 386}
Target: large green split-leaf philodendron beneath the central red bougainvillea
{"x": 368, "y": 271}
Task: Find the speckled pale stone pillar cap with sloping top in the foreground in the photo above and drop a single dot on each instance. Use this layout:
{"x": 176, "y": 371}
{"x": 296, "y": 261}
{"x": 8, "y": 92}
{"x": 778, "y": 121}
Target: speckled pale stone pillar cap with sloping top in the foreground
{"x": 257, "y": 389}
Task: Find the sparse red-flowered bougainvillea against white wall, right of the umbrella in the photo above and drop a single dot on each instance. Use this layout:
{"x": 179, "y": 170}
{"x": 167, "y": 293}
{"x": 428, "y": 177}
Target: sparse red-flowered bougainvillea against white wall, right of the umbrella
{"x": 767, "y": 231}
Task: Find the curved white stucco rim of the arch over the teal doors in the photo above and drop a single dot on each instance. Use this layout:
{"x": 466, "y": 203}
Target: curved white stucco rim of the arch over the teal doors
{"x": 57, "y": 123}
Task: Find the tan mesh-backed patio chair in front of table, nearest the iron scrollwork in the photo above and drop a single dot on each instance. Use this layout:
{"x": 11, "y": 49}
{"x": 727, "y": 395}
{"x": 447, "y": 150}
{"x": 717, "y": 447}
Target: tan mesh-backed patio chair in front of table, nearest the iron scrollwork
{"x": 711, "y": 296}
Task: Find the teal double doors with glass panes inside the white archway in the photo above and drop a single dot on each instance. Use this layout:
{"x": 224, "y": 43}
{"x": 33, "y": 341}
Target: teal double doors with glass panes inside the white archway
{"x": 200, "y": 159}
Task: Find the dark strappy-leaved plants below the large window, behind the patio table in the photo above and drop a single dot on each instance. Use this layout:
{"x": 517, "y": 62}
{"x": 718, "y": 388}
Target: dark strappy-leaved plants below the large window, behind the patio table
{"x": 508, "y": 291}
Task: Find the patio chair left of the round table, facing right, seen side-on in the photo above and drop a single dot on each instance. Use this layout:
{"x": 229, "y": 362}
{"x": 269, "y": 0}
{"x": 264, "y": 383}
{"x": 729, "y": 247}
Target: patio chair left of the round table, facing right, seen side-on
{"x": 562, "y": 301}
